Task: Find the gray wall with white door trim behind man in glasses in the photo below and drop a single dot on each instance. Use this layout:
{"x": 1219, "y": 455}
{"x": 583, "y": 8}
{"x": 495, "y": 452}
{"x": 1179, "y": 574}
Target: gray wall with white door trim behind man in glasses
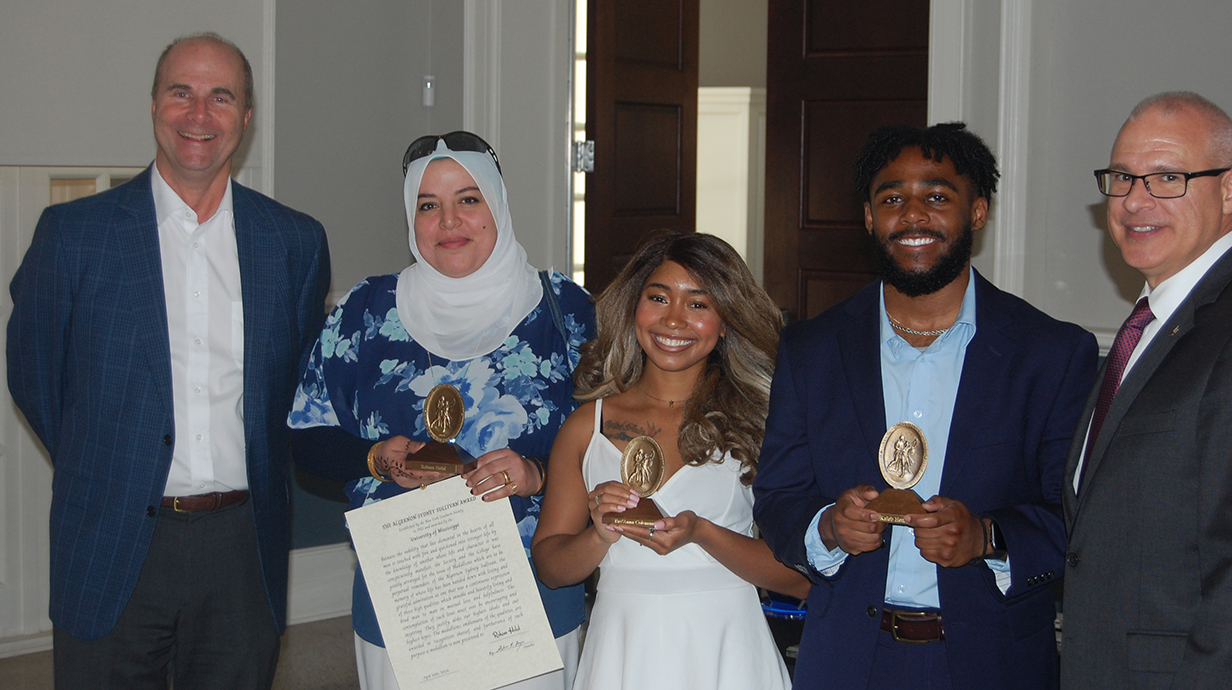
{"x": 1048, "y": 83}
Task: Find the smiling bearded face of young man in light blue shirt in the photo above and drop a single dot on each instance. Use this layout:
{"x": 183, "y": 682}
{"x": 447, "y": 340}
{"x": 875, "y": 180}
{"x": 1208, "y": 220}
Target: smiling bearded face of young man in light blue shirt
{"x": 922, "y": 217}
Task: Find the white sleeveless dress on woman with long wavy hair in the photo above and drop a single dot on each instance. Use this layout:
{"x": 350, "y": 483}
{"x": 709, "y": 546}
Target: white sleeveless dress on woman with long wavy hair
{"x": 678, "y": 622}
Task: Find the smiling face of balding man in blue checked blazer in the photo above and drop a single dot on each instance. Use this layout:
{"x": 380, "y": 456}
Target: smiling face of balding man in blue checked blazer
{"x": 199, "y": 113}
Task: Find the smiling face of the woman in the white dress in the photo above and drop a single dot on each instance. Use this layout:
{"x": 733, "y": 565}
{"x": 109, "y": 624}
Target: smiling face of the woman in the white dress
{"x": 676, "y": 321}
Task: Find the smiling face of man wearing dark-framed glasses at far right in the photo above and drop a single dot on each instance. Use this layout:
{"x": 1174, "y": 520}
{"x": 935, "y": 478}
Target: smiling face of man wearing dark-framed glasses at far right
{"x": 1160, "y": 237}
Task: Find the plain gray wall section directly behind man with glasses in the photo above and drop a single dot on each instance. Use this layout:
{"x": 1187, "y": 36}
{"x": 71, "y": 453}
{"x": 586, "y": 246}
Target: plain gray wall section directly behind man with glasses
{"x": 1093, "y": 62}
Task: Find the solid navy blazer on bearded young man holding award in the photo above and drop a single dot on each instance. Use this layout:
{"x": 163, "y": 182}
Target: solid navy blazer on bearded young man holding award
{"x": 1024, "y": 381}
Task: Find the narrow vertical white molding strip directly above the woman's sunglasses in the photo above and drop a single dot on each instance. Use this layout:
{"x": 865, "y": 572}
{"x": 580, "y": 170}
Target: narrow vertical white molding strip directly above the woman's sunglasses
{"x": 481, "y": 70}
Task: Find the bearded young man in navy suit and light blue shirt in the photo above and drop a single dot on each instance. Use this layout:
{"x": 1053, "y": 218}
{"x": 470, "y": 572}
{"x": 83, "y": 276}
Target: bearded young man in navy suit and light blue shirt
{"x": 959, "y": 596}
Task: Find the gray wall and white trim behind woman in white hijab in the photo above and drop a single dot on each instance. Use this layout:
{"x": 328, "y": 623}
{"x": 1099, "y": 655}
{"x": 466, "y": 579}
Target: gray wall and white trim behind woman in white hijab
{"x": 351, "y": 100}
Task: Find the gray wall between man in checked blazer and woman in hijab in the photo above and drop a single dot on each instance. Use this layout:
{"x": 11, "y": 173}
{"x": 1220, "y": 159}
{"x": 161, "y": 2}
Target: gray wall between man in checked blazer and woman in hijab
{"x": 349, "y": 99}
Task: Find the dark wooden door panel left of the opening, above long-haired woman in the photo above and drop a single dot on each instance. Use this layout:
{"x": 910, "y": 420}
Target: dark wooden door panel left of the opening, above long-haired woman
{"x": 642, "y": 115}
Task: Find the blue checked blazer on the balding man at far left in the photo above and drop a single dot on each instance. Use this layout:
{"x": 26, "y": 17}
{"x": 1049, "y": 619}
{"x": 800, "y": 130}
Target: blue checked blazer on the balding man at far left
{"x": 91, "y": 367}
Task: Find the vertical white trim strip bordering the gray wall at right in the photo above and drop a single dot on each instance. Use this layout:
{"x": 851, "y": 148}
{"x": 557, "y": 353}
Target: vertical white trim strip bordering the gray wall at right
{"x": 1010, "y": 253}
